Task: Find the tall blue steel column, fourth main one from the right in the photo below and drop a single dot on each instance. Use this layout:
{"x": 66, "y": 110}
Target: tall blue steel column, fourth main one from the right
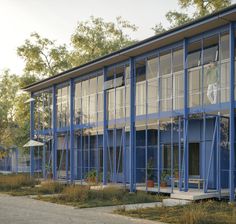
{"x": 104, "y": 128}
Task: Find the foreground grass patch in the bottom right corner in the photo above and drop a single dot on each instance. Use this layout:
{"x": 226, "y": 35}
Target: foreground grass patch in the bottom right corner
{"x": 208, "y": 212}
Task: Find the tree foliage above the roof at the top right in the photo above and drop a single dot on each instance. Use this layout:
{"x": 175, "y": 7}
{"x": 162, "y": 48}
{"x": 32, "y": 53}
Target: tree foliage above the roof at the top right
{"x": 201, "y": 7}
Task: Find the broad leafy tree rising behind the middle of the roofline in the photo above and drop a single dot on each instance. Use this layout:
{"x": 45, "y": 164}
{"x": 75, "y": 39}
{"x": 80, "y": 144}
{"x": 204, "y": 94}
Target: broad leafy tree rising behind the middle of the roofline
{"x": 95, "y": 38}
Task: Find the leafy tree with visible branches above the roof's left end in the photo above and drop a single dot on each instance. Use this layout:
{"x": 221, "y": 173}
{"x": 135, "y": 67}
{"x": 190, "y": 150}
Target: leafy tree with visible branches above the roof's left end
{"x": 43, "y": 57}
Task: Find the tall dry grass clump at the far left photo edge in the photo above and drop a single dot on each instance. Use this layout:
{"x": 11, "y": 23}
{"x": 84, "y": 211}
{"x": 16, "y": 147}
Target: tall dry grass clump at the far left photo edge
{"x": 12, "y": 182}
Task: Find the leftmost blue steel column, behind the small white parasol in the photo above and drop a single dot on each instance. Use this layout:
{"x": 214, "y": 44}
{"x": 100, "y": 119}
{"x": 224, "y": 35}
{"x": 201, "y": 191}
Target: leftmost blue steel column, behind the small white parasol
{"x": 31, "y": 136}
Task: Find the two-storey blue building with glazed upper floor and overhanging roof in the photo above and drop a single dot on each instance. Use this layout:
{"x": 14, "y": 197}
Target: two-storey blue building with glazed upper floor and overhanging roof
{"x": 160, "y": 111}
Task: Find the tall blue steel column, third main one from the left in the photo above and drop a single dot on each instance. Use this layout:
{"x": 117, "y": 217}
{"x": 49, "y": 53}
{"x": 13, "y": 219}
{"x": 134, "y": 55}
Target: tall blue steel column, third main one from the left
{"x": 72, "y": 151}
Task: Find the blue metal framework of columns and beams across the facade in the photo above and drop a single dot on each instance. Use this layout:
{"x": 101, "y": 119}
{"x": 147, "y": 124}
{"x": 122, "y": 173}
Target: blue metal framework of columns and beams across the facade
{"x": 133, "y": 118}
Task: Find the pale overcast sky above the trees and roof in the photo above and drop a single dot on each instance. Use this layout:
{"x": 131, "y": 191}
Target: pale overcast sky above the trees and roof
{"x": 56, "y": 19}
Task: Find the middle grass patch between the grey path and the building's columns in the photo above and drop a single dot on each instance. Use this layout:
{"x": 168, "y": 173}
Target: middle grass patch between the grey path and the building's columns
{"x": 83, "y": 197}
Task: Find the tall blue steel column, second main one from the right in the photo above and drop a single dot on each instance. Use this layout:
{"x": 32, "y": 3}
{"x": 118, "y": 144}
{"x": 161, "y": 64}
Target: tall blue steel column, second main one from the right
{"x": 185, "y": 121}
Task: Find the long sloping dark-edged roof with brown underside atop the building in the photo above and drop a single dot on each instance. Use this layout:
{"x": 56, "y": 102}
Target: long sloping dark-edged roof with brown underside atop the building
{"x": 187, "y": 30}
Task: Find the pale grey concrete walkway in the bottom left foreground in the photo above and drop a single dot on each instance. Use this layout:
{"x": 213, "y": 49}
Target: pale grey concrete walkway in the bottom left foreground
{"x": 24, "y": 210}
